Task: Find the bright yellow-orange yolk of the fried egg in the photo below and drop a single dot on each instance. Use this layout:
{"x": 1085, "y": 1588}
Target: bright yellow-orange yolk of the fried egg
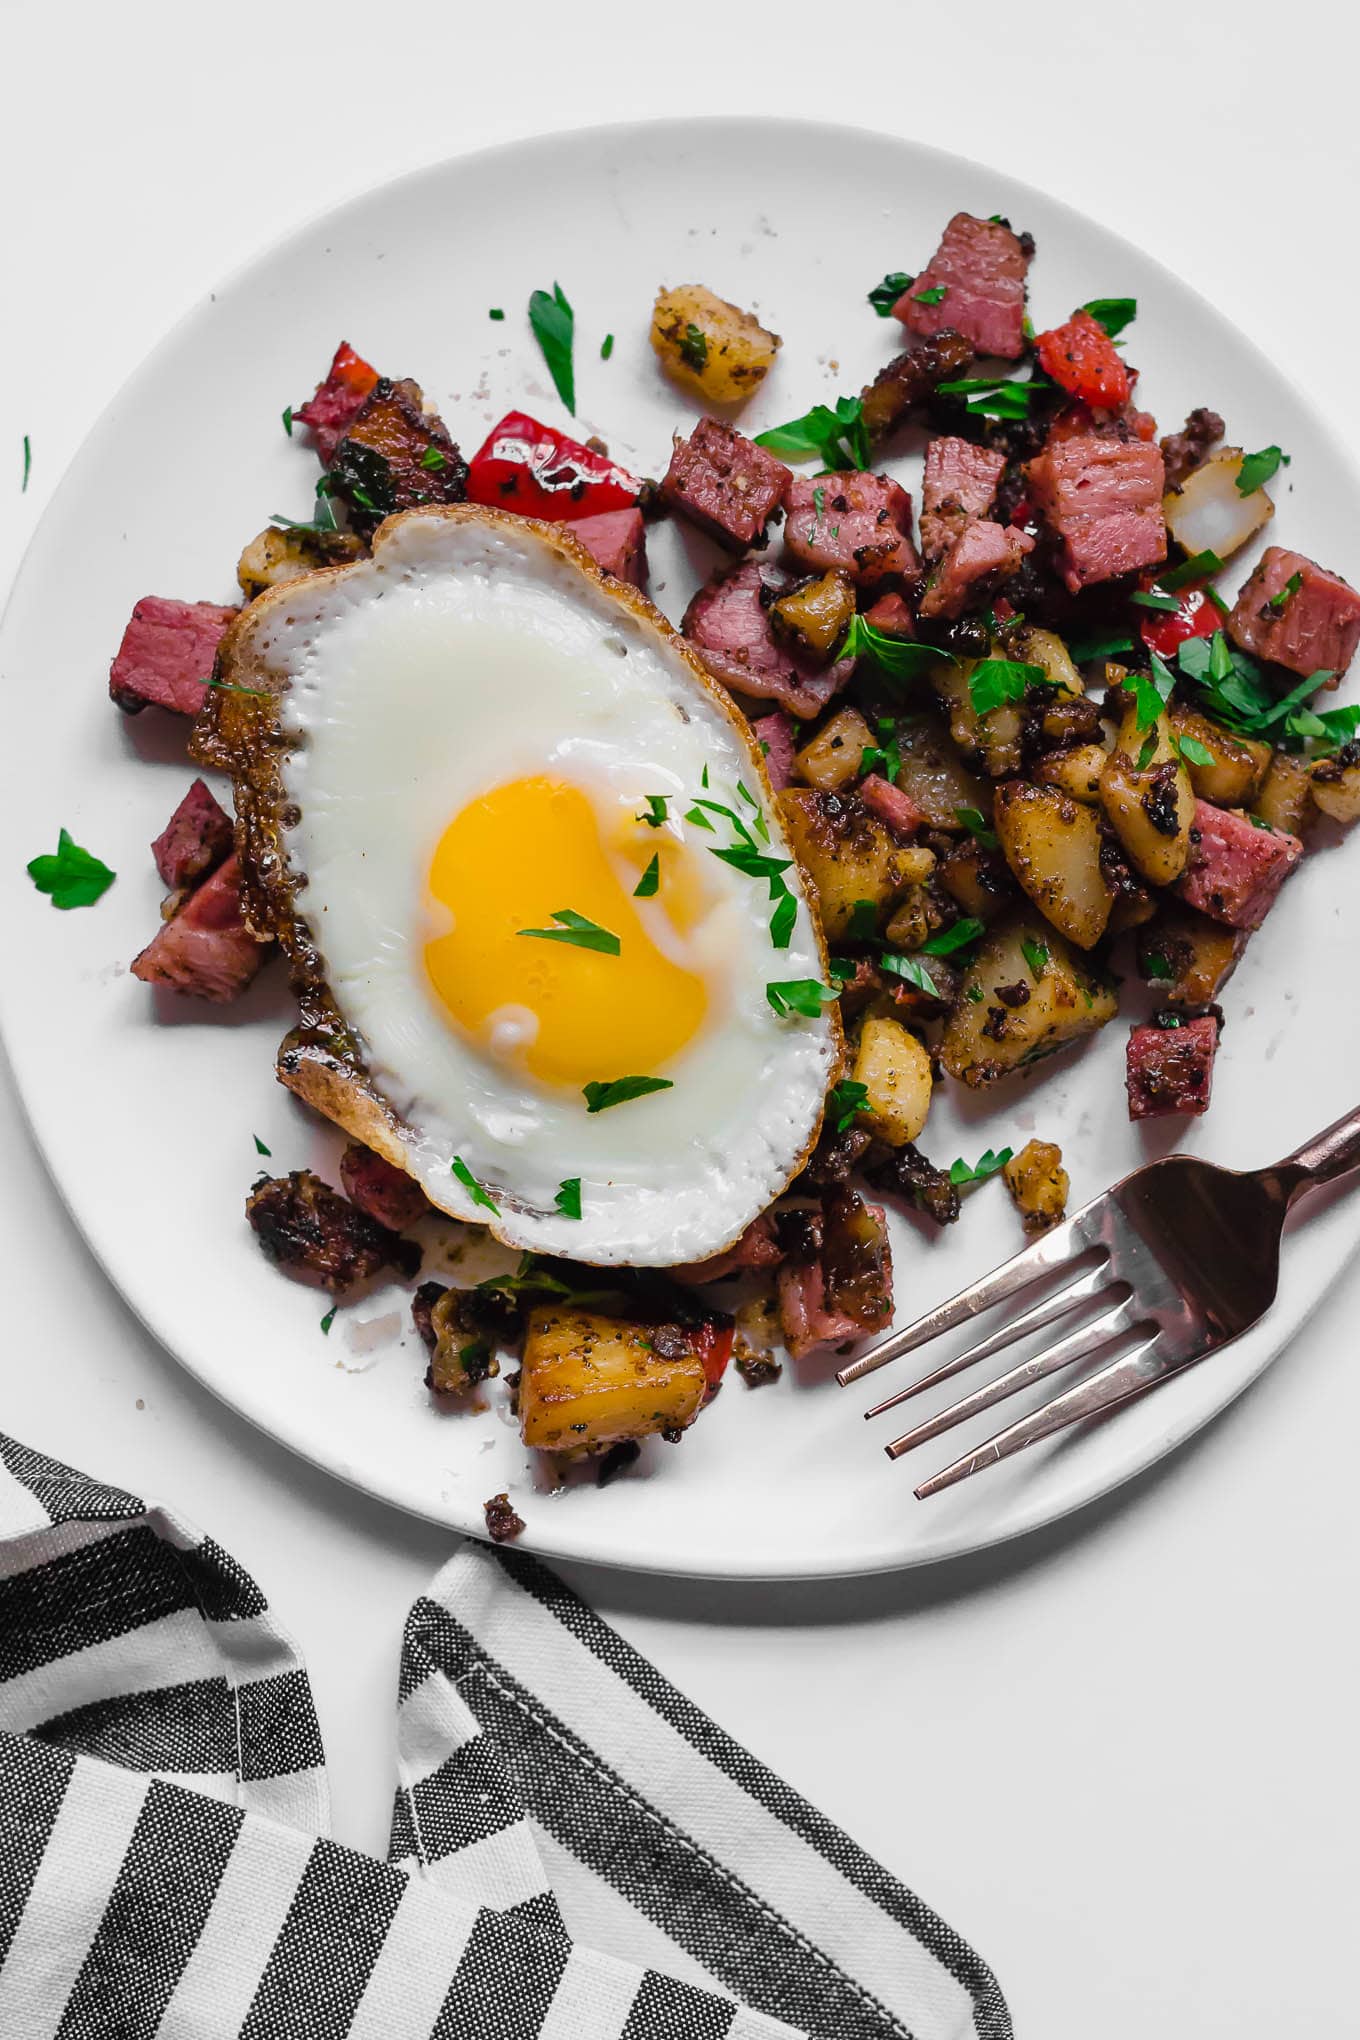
{"x": 570, "y": 1015}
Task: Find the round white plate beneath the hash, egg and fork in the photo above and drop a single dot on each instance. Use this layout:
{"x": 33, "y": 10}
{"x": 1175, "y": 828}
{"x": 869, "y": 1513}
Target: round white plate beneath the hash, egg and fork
{"x": 146, "y": 1109}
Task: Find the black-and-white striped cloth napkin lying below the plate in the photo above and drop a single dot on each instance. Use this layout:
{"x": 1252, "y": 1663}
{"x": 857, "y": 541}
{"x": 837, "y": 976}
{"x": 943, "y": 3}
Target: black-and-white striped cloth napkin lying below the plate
{"x": 166, "y": 1872}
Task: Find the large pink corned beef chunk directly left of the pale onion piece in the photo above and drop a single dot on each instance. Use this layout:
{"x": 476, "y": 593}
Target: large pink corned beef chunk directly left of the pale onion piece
{"x": 1102, "y": 499}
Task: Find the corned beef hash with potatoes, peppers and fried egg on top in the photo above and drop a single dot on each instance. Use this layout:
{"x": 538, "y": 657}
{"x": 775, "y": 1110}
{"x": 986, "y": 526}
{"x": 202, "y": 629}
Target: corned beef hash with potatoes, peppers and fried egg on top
{"x": 656, "y": 972}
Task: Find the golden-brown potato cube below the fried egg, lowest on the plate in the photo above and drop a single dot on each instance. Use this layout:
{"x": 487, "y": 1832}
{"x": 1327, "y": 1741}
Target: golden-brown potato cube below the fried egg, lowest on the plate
{"x": 592, "y": 1382}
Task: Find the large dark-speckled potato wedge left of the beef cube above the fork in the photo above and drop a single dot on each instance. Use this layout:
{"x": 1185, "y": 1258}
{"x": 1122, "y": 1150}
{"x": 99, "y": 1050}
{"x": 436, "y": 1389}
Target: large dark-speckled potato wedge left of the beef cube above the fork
{"x": 986, "y": 1035}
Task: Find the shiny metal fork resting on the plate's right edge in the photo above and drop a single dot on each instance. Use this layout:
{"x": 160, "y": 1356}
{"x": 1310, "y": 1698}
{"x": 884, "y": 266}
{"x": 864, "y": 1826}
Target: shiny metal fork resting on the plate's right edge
{"x": 1175, "y": 1262}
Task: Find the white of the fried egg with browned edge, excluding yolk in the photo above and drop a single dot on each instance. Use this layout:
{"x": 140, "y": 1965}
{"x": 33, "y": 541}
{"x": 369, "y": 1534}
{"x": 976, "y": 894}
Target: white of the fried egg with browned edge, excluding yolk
{"x": 464, "y": 656}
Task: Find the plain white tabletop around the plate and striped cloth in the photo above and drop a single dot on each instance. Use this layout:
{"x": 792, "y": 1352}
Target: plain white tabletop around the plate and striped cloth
{"x": 1118, "y": 1757}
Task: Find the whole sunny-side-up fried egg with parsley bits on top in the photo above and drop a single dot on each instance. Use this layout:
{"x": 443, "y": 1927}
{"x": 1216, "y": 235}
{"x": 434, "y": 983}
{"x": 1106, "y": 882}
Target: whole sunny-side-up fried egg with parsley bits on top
{"x": 539, "y": 860}
